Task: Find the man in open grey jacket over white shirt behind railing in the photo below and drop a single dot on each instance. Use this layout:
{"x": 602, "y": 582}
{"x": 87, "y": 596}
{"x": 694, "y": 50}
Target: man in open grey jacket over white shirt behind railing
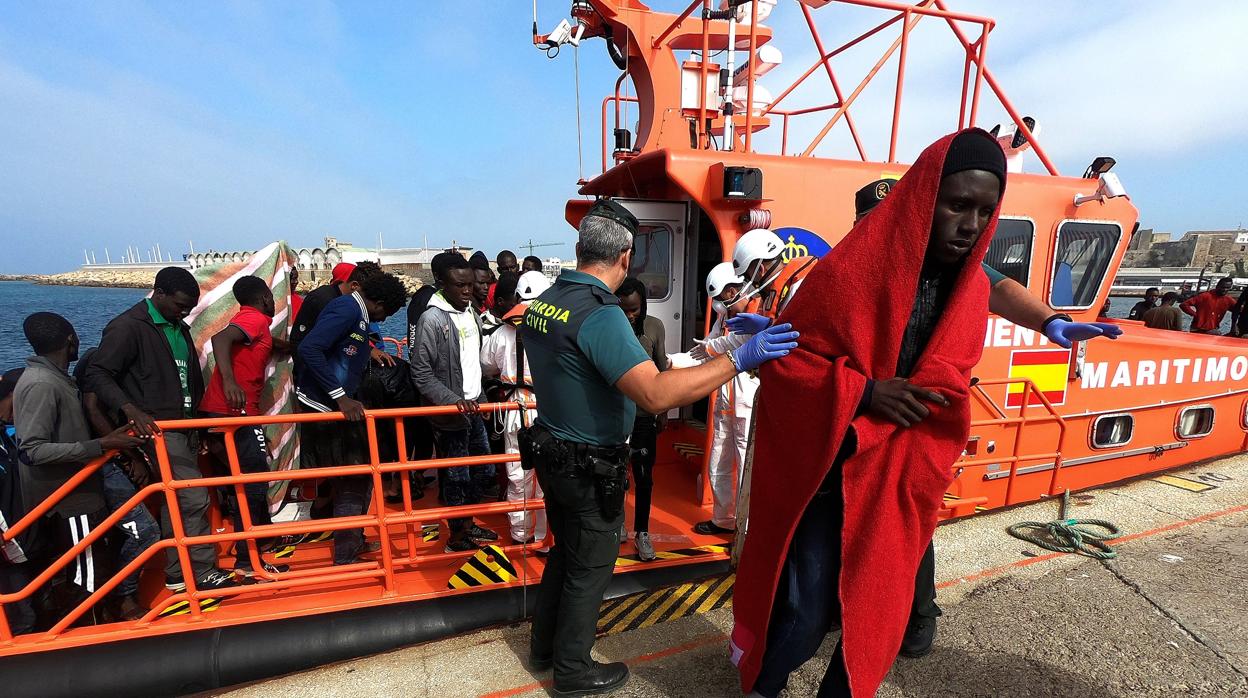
{"x": 446, "y": 369}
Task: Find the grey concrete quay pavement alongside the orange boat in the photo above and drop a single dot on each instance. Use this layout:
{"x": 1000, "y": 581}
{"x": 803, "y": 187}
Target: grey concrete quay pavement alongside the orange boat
{"x": 1169, "y": 617}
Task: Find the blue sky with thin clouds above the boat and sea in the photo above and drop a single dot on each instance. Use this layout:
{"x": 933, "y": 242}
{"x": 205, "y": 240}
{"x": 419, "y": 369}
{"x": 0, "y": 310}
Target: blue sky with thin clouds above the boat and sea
{"x": 234, "y": 124}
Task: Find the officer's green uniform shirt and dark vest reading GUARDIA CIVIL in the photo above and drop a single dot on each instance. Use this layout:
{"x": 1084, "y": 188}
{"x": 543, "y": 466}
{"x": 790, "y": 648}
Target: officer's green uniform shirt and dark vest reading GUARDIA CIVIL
{"x": 578, "y": 344}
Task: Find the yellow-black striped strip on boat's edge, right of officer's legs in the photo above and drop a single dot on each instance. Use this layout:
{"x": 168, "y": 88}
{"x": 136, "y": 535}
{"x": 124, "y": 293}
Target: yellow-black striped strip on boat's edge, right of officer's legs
{"x": 646, "y": 610}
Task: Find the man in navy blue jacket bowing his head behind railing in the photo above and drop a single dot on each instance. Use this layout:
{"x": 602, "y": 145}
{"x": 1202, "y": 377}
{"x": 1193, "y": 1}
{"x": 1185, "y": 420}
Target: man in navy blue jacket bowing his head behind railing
{"x": 333, "y": 361}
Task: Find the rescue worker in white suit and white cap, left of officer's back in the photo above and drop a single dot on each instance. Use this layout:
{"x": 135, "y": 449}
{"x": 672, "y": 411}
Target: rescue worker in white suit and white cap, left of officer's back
{"x": 499, "y": 360}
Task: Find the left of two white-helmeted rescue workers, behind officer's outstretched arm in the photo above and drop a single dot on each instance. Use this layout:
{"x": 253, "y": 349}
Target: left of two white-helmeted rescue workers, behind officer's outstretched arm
{"x": 734, "y": 404}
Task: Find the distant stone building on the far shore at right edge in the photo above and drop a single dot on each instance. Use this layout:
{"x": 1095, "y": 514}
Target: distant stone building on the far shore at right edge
{"x": 1222, "y": 250}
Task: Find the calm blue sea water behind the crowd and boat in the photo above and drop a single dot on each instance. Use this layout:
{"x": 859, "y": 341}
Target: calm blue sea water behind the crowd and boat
{"x": 89, "y": 310}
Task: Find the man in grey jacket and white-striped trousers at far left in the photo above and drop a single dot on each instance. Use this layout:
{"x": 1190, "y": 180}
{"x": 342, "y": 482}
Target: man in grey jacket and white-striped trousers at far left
{"x": 54, "y": 443}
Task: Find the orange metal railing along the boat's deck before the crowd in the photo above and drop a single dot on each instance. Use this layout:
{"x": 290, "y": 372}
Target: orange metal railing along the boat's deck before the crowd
{"x": 409, "y": 519}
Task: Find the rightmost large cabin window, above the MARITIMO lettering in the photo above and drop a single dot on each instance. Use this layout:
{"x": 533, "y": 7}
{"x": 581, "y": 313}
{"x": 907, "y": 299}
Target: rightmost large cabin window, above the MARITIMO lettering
{"x": 1084, "y": 254}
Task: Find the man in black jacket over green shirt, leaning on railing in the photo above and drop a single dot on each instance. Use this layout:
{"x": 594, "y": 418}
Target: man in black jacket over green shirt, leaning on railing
{"x": 145, "y": 370}
